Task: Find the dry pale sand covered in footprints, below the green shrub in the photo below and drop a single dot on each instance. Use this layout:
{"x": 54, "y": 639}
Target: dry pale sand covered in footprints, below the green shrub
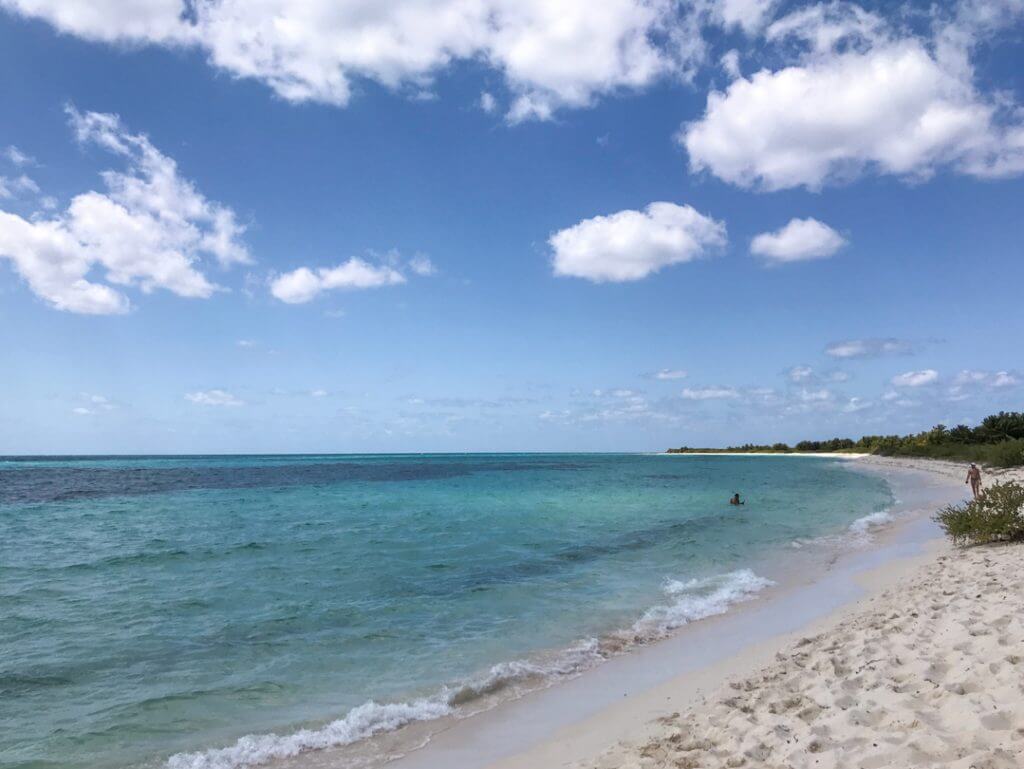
{"x": 927, "y": 674}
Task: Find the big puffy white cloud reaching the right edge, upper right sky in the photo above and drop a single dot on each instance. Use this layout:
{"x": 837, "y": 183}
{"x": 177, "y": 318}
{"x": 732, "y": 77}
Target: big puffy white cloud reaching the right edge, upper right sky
{"x": 861, "y": 100}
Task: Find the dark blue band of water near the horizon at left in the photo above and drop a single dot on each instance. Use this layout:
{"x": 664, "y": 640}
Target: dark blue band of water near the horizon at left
{"x": 20, "y": 485}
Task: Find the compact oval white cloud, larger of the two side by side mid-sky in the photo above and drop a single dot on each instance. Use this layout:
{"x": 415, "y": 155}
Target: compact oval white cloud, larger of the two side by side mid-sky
{"x": 631, "y": 245}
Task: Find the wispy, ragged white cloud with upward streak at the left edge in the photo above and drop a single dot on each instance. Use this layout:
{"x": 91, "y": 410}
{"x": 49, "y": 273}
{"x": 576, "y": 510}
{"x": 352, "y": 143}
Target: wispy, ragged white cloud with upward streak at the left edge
{"x": 151, "y": 229}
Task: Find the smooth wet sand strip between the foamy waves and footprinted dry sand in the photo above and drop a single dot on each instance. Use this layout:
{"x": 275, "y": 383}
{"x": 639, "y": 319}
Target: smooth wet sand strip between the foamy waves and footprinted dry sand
{"x": 574, "y": 722}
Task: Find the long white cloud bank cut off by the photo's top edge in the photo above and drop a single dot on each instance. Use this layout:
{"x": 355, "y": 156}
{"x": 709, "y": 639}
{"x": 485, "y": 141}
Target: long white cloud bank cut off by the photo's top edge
{"x": 551, "y": 55}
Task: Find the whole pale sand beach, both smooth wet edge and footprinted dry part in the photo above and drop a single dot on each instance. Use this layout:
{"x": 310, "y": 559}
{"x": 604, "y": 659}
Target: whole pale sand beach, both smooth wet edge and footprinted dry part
{"x": 909, "y": 655}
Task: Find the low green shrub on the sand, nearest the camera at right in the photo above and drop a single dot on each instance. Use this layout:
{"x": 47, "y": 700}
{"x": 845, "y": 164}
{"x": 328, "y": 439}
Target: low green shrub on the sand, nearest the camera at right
{"x": 997, "y": 516}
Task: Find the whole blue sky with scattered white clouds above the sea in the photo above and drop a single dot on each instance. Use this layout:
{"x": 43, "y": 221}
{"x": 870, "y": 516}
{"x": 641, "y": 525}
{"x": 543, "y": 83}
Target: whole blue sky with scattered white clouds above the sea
{"x": 446, "y": 226}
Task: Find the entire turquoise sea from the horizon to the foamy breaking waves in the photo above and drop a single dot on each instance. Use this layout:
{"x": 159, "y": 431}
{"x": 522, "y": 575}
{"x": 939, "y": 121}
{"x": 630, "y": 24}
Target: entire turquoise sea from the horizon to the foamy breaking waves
{"x": 154, "y": 612}
